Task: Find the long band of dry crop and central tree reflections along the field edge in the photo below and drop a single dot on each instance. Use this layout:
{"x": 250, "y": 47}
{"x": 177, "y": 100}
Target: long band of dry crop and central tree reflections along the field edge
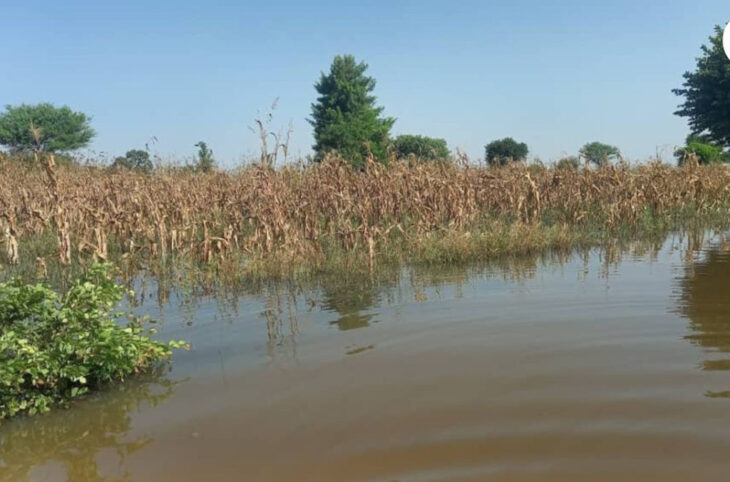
{"x": 352, "y": 295}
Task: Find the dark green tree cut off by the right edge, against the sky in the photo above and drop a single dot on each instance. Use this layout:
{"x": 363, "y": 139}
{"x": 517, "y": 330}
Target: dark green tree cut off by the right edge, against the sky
{"x": 707, "y": 93}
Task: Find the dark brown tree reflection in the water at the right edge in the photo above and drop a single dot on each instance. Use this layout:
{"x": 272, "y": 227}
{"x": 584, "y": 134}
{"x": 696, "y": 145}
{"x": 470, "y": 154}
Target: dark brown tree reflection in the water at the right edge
{"x": 705, "y": 300}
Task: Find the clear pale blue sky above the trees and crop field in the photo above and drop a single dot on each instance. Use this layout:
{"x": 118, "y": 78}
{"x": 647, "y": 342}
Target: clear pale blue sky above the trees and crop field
{"x": 553, "y": 74}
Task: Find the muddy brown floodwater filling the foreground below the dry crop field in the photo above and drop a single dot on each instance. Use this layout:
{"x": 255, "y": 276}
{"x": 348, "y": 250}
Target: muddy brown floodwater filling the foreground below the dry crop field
{"x": 601, "y": 365}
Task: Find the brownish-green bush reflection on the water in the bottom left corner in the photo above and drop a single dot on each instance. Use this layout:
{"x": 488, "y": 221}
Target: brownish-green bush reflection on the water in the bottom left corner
{"x": 74, "y": 438}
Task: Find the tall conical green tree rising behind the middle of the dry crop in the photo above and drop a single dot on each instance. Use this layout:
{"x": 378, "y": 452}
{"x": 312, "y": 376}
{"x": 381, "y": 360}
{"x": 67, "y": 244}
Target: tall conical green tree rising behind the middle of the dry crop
{"x": 345, "y": 118}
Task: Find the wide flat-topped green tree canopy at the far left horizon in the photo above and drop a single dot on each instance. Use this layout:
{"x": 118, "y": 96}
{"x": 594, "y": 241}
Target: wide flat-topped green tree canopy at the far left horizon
{"x": 44, "y": 128}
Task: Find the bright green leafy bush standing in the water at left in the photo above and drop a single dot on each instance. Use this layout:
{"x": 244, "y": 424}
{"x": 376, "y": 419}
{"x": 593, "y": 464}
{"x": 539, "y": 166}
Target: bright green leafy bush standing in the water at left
{"x": 54, "y": 348}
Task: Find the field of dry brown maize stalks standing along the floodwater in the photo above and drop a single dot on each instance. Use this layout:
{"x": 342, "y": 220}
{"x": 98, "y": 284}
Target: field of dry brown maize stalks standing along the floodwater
{"x": 271, "y": 221}
